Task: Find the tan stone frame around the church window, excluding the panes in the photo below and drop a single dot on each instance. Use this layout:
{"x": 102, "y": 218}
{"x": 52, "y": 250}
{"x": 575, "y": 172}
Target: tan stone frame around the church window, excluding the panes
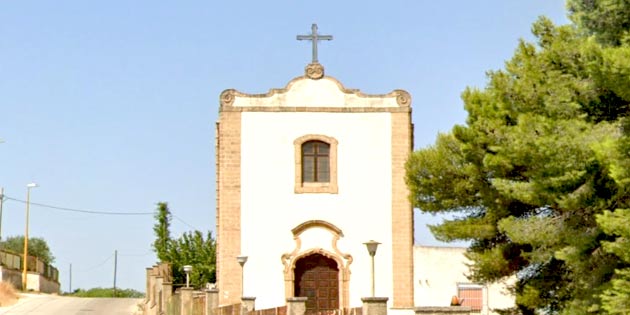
{"x": 329, "y": 187}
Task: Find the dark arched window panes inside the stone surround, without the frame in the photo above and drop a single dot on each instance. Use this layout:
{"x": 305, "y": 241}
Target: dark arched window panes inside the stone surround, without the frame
{"x": 315, "y": 162}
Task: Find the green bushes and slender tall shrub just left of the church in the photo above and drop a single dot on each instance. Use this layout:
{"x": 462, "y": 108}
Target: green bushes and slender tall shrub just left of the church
{"x": 192, "y": 248}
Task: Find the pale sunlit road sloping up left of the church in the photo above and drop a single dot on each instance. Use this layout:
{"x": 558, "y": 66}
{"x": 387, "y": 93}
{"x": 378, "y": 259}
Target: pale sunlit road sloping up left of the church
{"x": 41, "y": 304}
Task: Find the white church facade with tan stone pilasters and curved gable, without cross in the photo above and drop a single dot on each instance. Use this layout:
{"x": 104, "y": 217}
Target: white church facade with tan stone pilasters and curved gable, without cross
{"x": 307, "y": 174}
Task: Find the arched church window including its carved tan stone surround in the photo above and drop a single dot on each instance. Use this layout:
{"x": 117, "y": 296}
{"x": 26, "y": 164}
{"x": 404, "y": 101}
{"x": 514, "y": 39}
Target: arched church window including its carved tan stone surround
{"x": 315, "y": 164}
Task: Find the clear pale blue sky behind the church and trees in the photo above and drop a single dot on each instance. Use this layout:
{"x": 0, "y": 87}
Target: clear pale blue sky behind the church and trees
{"x": 110, "y": 106}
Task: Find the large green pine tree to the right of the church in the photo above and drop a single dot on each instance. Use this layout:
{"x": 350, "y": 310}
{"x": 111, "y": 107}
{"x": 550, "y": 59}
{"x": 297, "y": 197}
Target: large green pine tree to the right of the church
{"x": 538, "y": 175}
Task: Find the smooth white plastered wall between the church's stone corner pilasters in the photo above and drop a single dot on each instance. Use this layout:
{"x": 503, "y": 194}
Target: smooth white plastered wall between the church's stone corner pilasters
{"x": 270, "y": 208}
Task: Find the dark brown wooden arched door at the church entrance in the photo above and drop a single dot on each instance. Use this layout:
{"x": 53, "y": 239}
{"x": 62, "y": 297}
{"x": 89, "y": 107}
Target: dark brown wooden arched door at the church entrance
{"x": 317, "y": 278}
